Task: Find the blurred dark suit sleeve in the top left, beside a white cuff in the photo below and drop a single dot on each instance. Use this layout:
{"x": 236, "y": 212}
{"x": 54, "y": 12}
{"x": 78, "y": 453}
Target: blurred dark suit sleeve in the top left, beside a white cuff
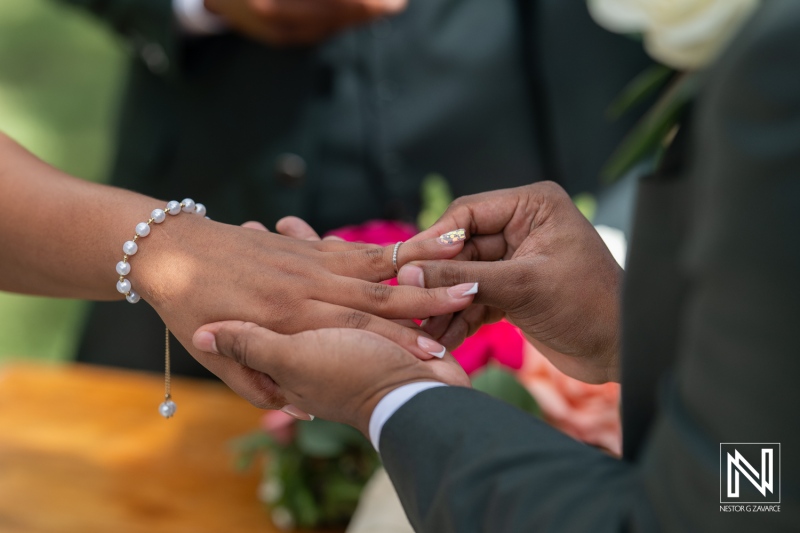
{"x": 148, "y": 25}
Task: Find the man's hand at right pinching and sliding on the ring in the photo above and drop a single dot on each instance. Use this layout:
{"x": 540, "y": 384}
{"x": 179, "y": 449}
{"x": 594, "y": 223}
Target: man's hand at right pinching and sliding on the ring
{"x": 557, "y": 281}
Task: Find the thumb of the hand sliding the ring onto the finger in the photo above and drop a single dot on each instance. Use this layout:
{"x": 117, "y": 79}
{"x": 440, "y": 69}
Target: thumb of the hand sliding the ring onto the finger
{"x": 496, "y": 279}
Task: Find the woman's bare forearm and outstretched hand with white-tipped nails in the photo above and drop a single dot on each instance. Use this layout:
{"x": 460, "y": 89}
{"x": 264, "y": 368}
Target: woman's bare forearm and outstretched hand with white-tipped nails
{"x": 62, "y": 236}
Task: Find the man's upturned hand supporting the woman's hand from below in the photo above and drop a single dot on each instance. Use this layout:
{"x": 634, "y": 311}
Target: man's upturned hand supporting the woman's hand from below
{"x": 338, "y": 374}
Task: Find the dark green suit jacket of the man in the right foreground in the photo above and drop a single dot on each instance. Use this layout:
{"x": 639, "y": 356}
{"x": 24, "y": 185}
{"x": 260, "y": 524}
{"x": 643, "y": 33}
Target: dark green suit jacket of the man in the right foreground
{"x": 710, "y": 350}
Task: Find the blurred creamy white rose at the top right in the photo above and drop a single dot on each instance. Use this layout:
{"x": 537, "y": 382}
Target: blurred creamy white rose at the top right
{"x": 684, "y": 34}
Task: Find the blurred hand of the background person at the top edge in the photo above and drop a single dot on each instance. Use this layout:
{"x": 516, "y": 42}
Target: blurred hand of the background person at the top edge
{"x": 299, "y": 22}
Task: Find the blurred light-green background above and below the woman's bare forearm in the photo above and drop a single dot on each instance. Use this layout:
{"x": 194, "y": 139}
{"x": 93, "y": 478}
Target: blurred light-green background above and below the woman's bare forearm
{"x": 60, "y": 73}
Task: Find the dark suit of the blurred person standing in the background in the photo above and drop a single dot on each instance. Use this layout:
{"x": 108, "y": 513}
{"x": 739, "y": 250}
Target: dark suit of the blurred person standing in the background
{"x": 489, "y": 93}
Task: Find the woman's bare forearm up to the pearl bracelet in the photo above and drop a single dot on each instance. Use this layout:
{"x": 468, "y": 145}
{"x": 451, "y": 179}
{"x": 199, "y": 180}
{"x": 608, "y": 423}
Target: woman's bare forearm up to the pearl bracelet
{"x": 61, "y": 236}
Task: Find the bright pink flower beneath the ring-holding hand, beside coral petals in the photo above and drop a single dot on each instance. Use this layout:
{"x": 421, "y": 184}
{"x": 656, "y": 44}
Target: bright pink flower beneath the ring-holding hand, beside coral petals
{"x": 501, "y": 342}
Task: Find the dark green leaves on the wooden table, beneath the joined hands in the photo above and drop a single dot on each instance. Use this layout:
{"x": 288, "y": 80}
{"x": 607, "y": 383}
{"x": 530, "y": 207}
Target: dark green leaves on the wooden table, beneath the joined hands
{"x": 318, "y": 477}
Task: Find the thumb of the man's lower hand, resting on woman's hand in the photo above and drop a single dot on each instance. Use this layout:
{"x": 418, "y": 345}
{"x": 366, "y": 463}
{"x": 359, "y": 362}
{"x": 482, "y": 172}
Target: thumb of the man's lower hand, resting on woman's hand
{"x": 246, "y": 343}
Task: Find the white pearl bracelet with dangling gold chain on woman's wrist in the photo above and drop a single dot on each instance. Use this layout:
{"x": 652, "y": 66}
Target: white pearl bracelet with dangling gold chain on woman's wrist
{"x": 167, "y": 407}
